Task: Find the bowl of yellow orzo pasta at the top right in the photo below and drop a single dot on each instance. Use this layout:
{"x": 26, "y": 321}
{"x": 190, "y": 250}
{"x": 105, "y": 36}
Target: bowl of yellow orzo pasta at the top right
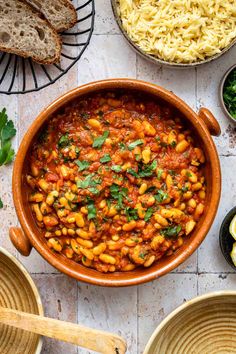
{"x": 177, "y": 33}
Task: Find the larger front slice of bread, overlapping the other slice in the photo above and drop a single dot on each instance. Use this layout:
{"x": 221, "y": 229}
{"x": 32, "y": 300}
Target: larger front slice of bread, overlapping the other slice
{"x": 25, "y": 33}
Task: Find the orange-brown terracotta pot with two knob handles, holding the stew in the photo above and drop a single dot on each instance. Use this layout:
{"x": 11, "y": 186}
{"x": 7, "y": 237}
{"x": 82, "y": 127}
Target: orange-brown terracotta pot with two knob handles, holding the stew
{"x": 204, "y": 125}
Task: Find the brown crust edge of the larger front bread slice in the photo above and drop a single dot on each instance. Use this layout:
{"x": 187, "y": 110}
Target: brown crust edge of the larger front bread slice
{"x": 57, "y": 38}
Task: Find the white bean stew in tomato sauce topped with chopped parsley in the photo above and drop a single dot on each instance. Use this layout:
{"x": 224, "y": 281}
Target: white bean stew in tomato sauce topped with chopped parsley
{"x": 116, "y": 181}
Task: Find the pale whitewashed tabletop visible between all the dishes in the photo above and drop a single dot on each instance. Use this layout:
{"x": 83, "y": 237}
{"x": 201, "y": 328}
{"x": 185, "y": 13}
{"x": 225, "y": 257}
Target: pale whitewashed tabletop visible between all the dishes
{"x": 131, "y": 312}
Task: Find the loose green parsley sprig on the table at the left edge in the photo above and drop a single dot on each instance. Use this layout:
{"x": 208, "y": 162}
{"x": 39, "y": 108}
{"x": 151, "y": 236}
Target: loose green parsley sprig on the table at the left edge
{"x": 7, "y": 132}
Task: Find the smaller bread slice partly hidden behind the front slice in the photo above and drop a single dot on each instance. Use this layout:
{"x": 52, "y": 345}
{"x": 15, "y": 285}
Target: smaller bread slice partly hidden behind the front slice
{"x": 60, "y": 13}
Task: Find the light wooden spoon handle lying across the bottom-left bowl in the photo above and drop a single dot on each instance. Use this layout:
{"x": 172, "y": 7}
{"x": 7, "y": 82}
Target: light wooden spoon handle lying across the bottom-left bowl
{"x": 102, "y": 342}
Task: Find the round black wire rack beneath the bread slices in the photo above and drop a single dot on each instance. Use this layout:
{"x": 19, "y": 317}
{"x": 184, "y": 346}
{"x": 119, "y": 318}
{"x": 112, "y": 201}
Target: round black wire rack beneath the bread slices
{"x": 19, "y": 75}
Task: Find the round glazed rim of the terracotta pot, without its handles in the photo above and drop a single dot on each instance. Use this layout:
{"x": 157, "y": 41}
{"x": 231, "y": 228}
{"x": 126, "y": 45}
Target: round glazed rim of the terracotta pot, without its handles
{"x": 139, "y": 276}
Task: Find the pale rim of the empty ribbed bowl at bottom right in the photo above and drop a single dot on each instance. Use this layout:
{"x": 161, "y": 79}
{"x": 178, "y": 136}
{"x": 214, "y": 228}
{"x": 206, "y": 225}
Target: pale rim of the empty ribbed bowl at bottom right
{"x": 195, "y": 300}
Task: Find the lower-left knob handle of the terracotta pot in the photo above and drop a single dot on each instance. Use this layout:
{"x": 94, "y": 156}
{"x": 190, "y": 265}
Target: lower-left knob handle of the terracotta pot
{"x": 20, "y": 241}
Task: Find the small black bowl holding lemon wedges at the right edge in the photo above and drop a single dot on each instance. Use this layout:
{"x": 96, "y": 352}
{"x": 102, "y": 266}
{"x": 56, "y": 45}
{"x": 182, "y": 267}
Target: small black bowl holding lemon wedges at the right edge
{"x": 226, "y": 240}
